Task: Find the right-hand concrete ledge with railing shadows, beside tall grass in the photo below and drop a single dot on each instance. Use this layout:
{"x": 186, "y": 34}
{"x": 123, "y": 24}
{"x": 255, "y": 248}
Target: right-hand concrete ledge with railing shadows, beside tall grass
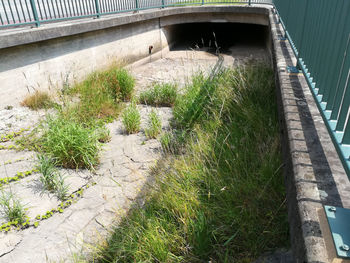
{"x": 314, "y": 174}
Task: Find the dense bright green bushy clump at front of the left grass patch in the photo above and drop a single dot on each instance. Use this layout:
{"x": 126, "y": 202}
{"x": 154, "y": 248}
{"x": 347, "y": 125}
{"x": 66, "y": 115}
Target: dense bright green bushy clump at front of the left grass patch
{"x": 70, "y": 144}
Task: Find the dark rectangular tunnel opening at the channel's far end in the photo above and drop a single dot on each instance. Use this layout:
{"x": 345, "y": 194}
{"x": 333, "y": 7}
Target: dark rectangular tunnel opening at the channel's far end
{"x": 225, "y": 38}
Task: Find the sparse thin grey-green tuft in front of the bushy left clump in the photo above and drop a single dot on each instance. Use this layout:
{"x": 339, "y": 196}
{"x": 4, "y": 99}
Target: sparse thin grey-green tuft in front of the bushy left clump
{"x": 51, "y": 179}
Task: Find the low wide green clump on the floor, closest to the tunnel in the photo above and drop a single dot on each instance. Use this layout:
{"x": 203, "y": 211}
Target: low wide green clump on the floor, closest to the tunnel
{"x": 163, "y": 94}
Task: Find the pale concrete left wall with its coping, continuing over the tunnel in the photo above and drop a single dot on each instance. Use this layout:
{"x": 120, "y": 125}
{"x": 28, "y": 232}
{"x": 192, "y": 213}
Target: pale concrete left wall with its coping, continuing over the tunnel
{"x": 53, "y": 54}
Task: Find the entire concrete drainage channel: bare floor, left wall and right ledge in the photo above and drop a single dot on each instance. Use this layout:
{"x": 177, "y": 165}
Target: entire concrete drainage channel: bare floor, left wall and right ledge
{"x": 313, "y": 173}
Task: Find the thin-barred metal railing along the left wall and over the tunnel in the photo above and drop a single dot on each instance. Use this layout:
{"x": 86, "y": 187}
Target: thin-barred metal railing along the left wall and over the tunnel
{"x": 35, "y": 12}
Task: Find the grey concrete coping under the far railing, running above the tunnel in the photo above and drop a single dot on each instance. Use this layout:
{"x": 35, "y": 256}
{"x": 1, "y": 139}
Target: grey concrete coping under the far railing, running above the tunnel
{"x": 16, "y": 37}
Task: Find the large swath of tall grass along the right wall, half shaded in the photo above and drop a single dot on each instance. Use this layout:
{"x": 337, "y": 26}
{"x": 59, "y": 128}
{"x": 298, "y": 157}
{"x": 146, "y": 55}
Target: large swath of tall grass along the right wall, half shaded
{"x": 222, "y": 199}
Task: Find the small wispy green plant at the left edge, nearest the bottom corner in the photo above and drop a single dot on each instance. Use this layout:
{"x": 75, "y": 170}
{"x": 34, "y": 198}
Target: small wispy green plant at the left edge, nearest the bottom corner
{"x": 11, "y": 207}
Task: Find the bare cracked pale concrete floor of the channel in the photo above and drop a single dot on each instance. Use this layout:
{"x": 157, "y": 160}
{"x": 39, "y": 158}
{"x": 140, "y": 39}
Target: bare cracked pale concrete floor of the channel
{"x": 101, "y": 198}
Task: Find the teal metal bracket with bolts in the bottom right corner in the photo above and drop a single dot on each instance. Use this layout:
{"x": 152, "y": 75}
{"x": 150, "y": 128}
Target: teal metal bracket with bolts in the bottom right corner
{"x": 339, "y": 223}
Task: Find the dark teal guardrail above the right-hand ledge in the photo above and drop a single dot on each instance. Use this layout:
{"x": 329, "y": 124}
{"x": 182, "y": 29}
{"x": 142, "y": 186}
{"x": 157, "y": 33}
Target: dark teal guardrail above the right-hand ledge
{"x": 319, "y": 31}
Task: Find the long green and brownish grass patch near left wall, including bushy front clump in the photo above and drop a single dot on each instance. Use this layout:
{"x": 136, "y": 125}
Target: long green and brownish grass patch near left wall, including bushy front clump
{"x": 72, "y": 137}
